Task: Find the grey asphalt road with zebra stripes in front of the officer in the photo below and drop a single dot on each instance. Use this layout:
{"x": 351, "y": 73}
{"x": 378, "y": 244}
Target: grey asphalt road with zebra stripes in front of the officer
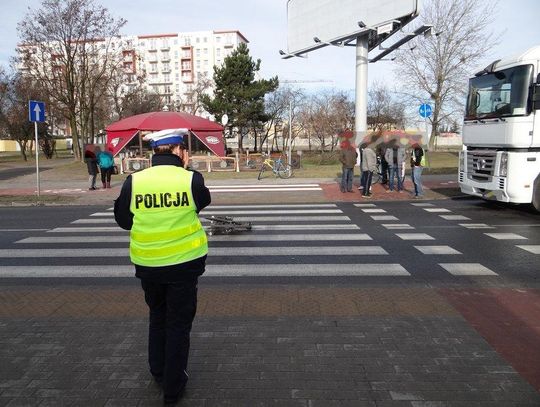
{"x": 429, "y": 242}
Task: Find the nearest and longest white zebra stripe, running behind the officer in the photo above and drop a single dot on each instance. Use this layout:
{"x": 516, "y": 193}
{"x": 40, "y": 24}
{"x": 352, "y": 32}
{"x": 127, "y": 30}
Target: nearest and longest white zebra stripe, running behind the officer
{"x": 229, "y": 270}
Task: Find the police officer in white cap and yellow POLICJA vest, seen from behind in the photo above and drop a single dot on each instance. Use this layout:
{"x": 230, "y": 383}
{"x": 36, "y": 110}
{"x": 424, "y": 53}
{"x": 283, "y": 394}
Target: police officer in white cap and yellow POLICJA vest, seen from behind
{"x": 168, "y": 245}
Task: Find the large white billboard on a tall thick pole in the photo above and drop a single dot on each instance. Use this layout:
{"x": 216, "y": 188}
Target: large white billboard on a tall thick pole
{"x": 364, "y": 24}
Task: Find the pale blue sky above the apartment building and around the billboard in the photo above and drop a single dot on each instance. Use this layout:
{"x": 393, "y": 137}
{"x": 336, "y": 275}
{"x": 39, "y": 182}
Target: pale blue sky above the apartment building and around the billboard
{"x": 264, "y": 24}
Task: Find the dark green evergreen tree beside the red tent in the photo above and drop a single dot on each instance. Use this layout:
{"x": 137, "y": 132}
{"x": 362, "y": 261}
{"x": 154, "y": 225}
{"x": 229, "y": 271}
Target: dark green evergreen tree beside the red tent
{"x": 238, "y": 94}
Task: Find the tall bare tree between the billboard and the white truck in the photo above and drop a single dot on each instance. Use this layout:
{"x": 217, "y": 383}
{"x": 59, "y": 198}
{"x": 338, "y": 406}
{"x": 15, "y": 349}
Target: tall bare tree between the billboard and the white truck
{"x": 439, "y": 65}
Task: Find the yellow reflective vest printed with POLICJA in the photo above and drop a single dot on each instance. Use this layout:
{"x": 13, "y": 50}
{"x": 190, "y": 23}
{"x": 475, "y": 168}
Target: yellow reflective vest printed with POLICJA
{"x": 166, "y": 229}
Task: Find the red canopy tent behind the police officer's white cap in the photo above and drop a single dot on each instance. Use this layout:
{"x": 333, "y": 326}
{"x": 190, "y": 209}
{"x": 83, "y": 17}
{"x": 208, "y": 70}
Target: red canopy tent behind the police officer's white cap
{"x": 207, "y": 131}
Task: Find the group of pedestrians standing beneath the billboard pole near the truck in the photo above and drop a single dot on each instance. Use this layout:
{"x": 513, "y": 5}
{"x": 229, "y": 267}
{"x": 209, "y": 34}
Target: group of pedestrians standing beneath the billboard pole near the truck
{"x": 388, "y": 159}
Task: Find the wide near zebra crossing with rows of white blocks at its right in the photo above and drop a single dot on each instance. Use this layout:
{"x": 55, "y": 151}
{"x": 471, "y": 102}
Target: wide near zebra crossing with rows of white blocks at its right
{"x": 287, "y": 240}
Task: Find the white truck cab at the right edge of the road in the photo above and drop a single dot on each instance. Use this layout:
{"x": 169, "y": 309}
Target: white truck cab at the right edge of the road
{"x": 500, "y": 159}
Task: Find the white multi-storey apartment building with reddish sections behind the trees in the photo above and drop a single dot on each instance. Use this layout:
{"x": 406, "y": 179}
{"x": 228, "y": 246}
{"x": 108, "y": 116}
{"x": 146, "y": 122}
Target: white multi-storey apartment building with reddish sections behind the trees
{"x": 170, "y": 64}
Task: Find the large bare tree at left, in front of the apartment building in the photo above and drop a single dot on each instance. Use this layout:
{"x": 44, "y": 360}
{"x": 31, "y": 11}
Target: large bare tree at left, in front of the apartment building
{"x": 66, "y": 48}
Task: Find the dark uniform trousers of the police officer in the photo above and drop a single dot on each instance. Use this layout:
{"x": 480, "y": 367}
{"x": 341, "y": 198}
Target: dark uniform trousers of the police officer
{"x": 172, "y": 310}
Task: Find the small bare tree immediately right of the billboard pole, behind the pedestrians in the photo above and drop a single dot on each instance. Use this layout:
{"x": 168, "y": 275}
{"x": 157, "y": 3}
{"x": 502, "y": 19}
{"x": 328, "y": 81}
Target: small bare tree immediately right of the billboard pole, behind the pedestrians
{"x": 384, "y": 112}
